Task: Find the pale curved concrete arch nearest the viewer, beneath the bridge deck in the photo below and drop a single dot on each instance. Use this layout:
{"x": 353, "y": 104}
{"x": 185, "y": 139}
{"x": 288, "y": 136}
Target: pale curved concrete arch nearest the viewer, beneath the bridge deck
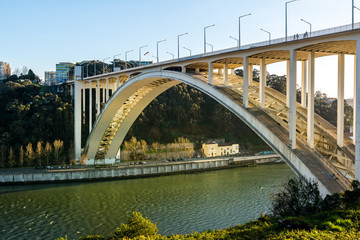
{"x": 157, "y": 82}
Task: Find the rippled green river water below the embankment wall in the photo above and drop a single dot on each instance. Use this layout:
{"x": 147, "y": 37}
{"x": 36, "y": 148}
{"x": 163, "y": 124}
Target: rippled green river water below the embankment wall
{"x": 179, "y": 203}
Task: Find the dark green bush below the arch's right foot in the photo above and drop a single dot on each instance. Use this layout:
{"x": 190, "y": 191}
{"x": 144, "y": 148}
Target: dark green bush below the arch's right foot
{"x": 298, "y": 196}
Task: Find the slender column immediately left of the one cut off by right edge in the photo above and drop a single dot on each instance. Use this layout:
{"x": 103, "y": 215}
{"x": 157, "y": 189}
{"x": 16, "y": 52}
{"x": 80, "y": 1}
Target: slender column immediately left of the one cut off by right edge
{"x": 340, "y": 101}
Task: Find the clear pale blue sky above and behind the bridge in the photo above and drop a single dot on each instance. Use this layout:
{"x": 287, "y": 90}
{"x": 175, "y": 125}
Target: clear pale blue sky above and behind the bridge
{"x": 40, "y": 33}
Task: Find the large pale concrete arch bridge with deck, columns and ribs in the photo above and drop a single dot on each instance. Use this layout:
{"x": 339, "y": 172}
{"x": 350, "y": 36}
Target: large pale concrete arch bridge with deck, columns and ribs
{"x": 310, "y": 145}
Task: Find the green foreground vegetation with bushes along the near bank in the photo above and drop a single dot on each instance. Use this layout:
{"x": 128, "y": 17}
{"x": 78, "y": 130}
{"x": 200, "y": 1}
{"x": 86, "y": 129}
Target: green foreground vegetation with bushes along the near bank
{"x": 335, "y": 217}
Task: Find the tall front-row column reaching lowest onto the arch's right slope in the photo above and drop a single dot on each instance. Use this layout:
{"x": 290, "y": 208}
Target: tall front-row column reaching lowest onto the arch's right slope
{"x": 292, "y": 117}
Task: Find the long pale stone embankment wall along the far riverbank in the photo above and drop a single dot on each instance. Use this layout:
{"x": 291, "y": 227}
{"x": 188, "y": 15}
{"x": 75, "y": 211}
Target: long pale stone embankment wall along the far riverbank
{"x": 133, "y": 171}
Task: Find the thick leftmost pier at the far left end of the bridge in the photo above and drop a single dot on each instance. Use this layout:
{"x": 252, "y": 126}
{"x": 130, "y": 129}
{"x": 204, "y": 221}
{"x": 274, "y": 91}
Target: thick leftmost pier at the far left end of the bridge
{"x": 77, "y": 112}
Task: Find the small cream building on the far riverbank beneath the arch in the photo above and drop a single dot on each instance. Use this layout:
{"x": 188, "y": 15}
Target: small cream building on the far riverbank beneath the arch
{"x": 214, "y": 149}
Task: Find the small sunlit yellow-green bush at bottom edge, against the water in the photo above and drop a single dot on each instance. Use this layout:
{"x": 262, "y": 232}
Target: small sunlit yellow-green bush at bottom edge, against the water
{"x": 137, "y": 226}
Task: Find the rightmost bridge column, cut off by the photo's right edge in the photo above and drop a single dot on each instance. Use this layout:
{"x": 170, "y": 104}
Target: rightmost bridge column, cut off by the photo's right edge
{"x": 357, "y": 109}
